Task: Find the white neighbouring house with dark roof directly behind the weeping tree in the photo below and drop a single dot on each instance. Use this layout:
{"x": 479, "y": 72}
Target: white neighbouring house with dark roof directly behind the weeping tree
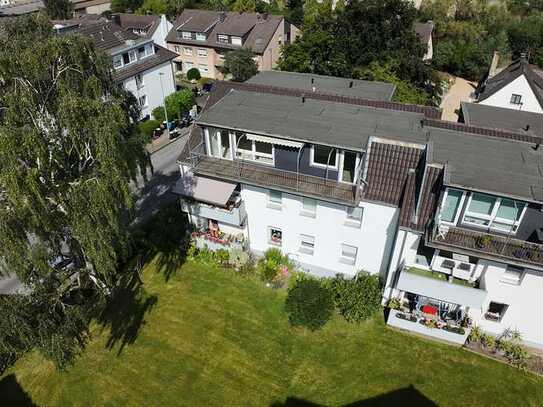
{"x": 143, "y": 68}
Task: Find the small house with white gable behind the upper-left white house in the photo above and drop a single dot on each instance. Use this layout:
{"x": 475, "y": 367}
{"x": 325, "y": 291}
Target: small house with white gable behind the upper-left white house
{"x": 147, "y": 26}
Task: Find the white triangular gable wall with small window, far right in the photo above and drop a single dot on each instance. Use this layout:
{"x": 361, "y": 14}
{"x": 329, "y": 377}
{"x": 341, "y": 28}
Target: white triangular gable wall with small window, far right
{"x": 519, "y": 86}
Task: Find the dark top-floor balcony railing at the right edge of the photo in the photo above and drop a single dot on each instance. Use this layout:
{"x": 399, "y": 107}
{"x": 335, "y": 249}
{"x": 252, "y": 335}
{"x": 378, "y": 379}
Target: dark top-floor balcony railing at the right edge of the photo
{"x": 492, "y": 246}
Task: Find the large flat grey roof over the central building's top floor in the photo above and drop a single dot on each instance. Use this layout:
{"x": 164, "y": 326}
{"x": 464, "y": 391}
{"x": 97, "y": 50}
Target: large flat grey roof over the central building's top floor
{"x": 316, "y": 121}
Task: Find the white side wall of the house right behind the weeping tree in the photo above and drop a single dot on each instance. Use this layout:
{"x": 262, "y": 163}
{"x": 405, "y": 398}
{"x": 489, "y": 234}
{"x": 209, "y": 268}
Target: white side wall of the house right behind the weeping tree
{"x": 151, "y": 86}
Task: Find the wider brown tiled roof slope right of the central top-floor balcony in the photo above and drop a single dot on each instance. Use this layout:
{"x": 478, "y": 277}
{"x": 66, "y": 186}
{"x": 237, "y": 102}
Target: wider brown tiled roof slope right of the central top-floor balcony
{"x": 388, "y": 167}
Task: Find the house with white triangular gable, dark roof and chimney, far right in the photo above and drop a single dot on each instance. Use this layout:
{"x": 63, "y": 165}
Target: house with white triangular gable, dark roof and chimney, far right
{"x": 519, "y": 86}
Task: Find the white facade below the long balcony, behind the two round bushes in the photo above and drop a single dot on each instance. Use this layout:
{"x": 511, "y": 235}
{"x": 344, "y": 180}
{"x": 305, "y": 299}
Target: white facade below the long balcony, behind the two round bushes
{"x": 373, "y": 238}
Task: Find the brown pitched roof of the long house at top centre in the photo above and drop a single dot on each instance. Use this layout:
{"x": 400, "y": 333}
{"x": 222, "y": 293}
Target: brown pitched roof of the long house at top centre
{"x": 258, "y": 30}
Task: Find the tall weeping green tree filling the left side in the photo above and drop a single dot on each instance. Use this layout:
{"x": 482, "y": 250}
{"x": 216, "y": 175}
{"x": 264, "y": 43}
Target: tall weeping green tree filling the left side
{"x": 69, "y": 145}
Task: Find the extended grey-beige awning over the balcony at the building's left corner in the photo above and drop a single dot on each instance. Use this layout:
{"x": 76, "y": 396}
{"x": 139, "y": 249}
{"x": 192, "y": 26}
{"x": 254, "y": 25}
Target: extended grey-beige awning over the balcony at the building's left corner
{"x": 204, "y": 189}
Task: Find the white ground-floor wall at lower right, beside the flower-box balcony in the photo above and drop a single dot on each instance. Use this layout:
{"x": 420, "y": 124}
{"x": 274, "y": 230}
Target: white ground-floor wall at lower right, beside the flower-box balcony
{"x": 524, "y": 302}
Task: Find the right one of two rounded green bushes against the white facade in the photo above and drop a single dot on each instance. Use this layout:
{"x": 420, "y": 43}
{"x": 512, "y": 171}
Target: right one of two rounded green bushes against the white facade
{"x": 359, "y": 298}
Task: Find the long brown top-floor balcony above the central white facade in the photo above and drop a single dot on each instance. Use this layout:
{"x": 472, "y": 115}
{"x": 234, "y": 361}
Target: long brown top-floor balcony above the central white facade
{"x": 259, "y": 175}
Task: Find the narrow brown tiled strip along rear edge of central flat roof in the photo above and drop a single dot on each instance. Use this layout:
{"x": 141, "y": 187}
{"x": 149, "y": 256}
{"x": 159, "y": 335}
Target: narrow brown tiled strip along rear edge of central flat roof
{"x": 221, "y": 88}
